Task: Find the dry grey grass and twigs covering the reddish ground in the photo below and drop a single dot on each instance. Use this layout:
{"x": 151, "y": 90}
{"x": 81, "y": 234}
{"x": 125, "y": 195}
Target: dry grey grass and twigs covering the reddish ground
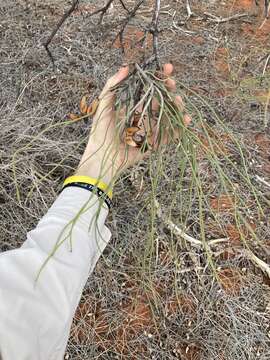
{"x": 154, "y": 293}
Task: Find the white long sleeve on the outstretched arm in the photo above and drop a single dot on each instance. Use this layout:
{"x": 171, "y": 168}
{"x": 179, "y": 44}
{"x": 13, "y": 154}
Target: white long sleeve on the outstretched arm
{"x": 35, "y": 318}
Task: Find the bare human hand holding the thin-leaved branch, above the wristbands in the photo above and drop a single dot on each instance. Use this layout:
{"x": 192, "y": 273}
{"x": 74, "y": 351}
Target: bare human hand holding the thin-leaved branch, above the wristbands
{"x": 106, "y": 154}
